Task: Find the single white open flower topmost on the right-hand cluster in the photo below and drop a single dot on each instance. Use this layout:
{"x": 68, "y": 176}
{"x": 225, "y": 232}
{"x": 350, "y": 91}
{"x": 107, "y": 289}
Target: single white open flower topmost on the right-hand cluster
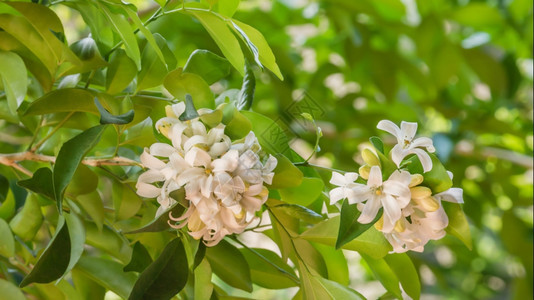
{"x": 406, "y": 144}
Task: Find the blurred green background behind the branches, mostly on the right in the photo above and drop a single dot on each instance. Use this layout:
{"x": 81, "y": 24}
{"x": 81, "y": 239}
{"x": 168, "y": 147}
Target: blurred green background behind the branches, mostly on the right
{"x": 462, "y": 69}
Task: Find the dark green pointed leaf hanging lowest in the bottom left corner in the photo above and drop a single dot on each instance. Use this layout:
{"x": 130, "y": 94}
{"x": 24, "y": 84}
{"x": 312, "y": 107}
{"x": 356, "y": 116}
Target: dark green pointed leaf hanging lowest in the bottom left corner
{"x": 55, "y": 258}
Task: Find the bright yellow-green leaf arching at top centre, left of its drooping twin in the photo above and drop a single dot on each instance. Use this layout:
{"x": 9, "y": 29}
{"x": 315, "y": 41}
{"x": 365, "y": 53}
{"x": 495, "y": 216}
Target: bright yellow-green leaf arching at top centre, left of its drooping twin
{"x": 224, "y": 38}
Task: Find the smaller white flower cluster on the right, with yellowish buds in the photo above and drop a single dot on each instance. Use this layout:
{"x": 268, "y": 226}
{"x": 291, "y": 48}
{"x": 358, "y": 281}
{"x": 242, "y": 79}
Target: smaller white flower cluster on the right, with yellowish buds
{"x": 412, "y": 213}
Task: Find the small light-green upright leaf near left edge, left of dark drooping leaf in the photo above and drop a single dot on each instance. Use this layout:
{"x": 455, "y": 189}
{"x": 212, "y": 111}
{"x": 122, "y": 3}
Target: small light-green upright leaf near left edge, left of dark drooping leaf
{"x": 27, "y": 222}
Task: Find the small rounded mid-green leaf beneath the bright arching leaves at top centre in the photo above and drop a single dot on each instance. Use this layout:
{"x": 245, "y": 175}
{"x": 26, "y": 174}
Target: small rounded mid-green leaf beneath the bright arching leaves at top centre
{"x": 208, "y": 65}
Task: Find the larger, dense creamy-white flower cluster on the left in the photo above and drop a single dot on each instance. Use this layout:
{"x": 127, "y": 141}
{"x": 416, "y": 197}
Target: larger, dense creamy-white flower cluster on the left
{"x": 223, "y": 181}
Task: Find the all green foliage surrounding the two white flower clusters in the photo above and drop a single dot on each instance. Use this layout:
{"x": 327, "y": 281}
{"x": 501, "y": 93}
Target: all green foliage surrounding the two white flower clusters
{"x": 83, "y": 83}
